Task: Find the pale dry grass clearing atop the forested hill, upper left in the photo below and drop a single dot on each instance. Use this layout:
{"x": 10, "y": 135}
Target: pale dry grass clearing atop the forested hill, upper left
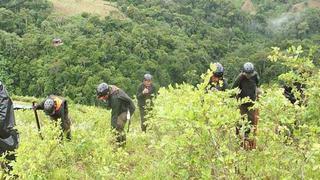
{"x": 76, "y": 7}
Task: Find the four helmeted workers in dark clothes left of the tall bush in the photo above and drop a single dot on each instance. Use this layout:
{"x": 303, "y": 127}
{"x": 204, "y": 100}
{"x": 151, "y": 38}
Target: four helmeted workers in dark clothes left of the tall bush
{"x": 56, "y": 108}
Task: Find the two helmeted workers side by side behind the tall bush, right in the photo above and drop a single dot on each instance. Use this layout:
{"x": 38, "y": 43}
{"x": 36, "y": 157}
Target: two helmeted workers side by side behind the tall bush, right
{"x": 248, "y": 83}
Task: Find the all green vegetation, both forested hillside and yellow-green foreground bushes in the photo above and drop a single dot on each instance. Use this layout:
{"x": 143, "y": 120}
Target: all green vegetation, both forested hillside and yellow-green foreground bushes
{"x": 192, "y": 134}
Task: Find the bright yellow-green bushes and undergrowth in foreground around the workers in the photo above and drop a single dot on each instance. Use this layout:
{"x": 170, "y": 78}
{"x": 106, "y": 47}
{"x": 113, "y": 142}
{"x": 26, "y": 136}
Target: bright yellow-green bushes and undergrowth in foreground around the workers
{"x": 192, "y": 135}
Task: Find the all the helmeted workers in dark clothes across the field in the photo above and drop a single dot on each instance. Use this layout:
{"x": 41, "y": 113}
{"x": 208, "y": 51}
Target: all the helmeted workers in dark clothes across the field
{"x": 122, "y": 107}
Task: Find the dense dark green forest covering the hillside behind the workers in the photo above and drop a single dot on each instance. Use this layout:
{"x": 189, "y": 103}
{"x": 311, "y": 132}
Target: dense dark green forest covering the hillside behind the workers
{"x": 175, "y": 41}
